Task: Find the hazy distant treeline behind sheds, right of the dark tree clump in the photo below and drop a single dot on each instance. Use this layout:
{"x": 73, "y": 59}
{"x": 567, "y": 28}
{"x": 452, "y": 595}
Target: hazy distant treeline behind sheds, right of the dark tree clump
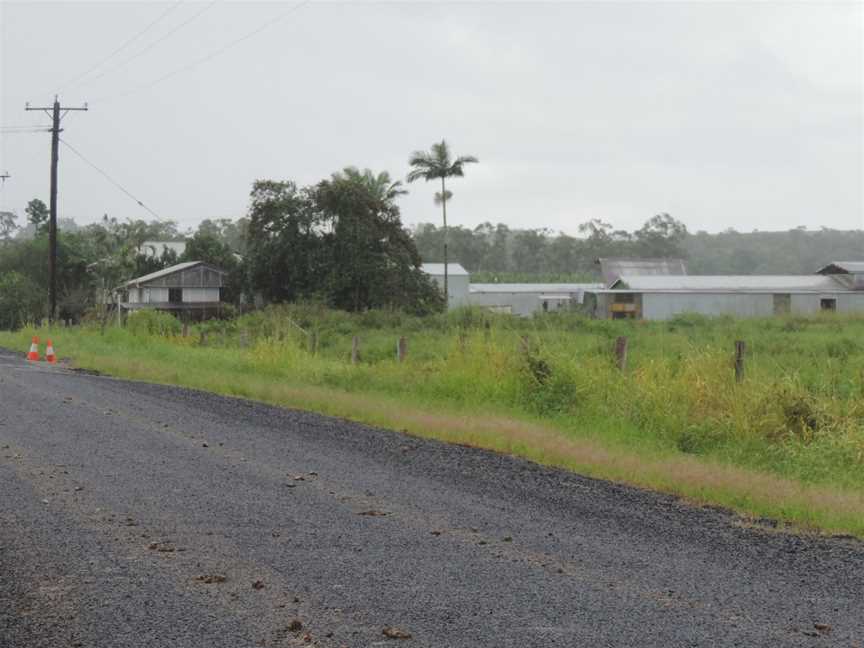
{"x": 496, "y": 252}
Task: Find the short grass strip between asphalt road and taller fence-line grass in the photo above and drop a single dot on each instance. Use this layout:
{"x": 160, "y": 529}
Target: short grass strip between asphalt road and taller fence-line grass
{"x": 595, "y": 444}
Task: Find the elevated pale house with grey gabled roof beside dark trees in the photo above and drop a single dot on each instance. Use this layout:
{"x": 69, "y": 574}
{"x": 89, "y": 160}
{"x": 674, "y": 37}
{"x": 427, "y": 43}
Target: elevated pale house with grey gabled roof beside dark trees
{"x": 193, "y": 289}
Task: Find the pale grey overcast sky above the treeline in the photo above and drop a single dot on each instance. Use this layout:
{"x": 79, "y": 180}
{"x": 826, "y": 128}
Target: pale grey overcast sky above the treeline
{"x": 745, "y": 115}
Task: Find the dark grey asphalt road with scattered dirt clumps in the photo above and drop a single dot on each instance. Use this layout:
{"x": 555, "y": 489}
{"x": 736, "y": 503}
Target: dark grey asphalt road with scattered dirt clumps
{"x": 140, "y": 515}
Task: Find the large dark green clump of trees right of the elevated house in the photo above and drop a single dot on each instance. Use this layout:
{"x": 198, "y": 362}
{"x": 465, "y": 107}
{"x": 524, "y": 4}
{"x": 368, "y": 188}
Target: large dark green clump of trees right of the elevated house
{"x": 341, "y": 240}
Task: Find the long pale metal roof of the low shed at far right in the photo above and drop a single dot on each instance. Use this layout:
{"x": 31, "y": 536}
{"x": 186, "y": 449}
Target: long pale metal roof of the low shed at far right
{"x": 762, "y": 283}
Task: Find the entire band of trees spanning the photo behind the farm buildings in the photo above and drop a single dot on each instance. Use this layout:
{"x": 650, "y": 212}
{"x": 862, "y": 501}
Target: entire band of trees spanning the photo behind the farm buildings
{"x": 342, "y": 241}
